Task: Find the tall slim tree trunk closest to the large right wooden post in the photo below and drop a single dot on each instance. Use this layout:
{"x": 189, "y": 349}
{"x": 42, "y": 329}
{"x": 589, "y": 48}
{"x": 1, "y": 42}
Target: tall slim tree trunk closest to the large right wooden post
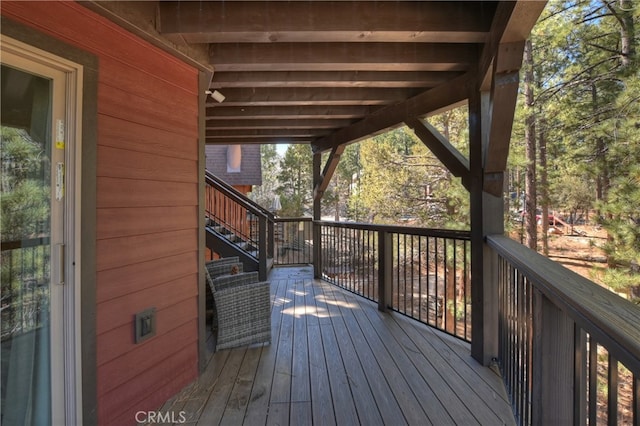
{"x": 530, "y": 140}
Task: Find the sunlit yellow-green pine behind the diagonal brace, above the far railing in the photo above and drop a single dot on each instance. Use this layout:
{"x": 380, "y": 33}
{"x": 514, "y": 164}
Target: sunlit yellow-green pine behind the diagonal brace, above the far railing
{"x": 402, "y": 181}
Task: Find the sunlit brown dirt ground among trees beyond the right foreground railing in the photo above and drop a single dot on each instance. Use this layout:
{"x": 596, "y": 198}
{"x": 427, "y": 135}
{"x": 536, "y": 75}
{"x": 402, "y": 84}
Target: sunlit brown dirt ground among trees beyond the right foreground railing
{"x": 579, "y": 251}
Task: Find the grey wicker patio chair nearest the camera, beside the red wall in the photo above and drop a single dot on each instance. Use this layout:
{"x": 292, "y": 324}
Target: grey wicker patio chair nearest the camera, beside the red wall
{"x": 243, "y": 309}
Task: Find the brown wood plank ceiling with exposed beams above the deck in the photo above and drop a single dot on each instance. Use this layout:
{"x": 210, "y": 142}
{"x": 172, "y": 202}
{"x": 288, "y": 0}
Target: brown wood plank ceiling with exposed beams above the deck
{"x": 333, "y": 72}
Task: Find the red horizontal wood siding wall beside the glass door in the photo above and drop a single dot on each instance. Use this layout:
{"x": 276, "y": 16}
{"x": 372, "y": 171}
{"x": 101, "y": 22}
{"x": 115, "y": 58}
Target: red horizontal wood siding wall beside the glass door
{"x": 147, "y": 195}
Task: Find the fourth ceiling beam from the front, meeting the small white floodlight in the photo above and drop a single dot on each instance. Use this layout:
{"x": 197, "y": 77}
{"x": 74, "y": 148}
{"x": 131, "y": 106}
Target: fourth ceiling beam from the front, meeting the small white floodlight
{"x": 310, "y": 96}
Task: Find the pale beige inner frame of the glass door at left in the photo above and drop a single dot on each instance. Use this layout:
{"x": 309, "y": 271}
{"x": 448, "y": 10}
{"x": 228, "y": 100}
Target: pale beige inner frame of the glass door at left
{"x": 66, "y": 118}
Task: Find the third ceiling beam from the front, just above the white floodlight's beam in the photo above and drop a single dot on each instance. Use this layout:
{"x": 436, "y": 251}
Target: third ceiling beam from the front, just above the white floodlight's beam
{"x": 389, "y": 79}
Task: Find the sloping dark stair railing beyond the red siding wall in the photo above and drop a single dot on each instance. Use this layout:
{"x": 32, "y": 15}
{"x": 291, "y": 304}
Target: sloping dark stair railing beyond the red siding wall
{"x": 239, "y": 216}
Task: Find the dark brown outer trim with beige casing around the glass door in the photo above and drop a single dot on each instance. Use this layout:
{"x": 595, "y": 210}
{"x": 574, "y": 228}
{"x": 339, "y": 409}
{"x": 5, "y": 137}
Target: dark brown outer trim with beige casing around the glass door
{"x": 80, "y": 384}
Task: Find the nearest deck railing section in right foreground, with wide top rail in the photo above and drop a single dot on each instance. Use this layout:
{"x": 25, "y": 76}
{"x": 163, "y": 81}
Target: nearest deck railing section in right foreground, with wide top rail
{"x": 569, "y": 348}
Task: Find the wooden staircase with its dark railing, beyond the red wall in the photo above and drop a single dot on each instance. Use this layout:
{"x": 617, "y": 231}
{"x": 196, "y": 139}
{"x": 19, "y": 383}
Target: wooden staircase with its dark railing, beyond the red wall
{"x": 237, "y": 226}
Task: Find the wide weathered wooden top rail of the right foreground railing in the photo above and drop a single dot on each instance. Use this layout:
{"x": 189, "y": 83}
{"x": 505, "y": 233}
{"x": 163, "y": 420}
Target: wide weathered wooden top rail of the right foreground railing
{"x": 612, "y": 320}
